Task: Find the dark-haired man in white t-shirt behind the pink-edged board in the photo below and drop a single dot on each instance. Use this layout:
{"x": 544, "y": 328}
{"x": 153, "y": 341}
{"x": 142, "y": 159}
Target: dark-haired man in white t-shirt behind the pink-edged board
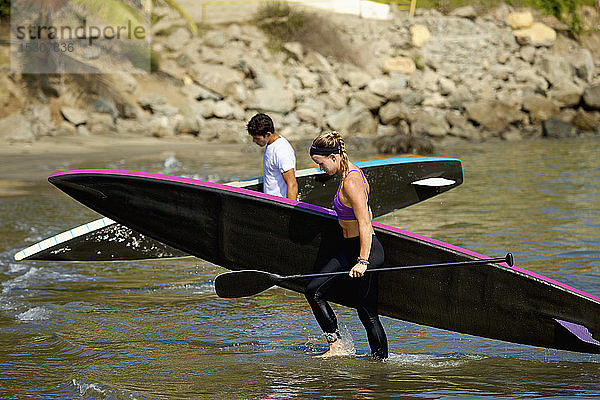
{"x": 279, "y": 159}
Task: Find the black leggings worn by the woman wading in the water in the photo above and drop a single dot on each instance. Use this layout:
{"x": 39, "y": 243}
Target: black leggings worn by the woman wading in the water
{"x": 360, "y": 292}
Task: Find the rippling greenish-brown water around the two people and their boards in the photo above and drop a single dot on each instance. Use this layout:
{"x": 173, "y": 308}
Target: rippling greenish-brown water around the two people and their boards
{"x": 156, "y": 330}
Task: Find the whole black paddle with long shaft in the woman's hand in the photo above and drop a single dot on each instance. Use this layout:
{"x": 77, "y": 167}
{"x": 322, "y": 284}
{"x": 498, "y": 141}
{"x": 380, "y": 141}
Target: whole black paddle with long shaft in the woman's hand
{"x": 250, "y": 282}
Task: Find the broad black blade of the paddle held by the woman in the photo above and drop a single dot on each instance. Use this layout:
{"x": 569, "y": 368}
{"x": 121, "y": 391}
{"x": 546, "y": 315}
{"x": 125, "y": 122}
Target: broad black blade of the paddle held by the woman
{"x": 244, "y": 283}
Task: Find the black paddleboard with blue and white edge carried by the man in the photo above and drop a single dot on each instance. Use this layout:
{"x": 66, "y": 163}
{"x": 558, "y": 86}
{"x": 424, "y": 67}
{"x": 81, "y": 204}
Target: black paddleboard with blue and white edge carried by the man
{"x": 397, "y": 182}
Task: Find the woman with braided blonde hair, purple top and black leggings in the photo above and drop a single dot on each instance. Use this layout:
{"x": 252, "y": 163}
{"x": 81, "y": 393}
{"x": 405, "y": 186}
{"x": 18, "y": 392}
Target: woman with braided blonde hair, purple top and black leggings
{"x": 360, "y": 250}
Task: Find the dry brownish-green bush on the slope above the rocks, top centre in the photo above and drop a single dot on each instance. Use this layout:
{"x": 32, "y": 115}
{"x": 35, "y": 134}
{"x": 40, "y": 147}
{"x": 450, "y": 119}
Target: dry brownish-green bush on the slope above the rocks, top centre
{"x": 283, "y": 23}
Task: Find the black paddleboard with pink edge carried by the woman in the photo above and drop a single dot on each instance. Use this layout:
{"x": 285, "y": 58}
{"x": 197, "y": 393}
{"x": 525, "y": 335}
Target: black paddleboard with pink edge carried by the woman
{"x": 241, "y": 229}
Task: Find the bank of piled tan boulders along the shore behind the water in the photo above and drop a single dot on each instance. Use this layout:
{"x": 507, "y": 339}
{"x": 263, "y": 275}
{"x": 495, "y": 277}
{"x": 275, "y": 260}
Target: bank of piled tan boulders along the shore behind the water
{"x": 415, "y": 84}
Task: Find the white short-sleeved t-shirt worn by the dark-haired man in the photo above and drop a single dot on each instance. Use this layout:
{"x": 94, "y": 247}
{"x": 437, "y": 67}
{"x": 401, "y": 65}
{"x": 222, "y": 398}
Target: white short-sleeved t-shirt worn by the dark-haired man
{"x": 279, "y": 157}
